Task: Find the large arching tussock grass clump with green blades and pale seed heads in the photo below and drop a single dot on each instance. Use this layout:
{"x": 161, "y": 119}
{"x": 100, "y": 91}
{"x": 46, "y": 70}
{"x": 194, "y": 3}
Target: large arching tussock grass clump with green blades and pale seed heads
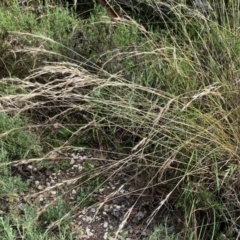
{"x": 166, "y": 102}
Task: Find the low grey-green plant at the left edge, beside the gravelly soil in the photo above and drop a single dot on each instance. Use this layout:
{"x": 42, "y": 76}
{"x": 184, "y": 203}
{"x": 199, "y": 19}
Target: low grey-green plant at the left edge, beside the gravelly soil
{"x": 16, "y": 142}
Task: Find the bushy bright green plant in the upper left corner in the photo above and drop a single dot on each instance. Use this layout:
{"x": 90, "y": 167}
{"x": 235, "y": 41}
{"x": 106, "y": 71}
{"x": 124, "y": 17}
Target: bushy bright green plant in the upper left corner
{"x": 19, "y": 27}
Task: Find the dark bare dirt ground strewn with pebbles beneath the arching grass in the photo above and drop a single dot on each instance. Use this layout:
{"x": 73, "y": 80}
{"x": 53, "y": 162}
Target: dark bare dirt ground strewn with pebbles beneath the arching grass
{"x": 120, "y": 208}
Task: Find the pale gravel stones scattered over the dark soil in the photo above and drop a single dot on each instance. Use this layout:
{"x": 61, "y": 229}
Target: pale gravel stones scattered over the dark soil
{"x": 94, "y": 222}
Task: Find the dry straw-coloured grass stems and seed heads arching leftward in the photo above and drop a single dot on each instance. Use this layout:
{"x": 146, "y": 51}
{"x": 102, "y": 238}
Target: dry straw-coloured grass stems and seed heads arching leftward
{"x": 180, "y": 138}
